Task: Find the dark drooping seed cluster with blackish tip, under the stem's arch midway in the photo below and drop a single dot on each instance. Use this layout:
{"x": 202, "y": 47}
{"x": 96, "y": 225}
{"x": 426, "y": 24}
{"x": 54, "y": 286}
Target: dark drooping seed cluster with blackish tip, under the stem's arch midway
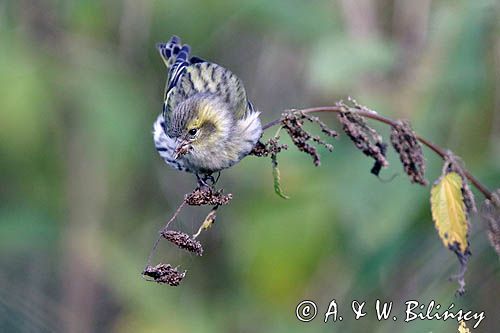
{"x": 365, "y": 138}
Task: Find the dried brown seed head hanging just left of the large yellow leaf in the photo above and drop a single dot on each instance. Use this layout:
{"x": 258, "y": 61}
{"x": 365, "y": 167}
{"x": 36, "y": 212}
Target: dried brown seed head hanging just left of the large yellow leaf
{"x": 405, "y": 142}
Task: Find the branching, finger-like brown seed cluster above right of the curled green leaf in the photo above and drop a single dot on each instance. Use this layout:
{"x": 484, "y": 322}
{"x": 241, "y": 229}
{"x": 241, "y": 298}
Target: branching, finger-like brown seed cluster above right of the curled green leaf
{"x": 293, "y": 123}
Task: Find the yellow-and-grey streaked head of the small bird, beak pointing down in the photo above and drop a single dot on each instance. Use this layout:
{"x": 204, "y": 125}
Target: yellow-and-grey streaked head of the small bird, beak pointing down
{"x": 199, "y": 123}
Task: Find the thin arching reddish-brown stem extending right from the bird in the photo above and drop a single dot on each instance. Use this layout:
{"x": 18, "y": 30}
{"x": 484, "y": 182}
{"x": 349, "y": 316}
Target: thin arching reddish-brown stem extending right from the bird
{"x": 372, "y": 115}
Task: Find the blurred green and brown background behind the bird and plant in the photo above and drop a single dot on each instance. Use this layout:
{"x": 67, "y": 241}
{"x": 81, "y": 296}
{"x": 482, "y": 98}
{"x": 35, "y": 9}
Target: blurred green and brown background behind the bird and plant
{"x": 83, "y": 191}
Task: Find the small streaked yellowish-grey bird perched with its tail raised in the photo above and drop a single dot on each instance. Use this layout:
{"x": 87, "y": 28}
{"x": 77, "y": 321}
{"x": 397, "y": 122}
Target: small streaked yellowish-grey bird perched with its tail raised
{"x": 207, "y": 123}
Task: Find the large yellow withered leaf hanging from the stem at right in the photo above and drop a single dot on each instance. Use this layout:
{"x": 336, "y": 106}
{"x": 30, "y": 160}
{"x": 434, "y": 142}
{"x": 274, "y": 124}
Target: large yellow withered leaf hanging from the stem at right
{"x": 448, "y": 211}
